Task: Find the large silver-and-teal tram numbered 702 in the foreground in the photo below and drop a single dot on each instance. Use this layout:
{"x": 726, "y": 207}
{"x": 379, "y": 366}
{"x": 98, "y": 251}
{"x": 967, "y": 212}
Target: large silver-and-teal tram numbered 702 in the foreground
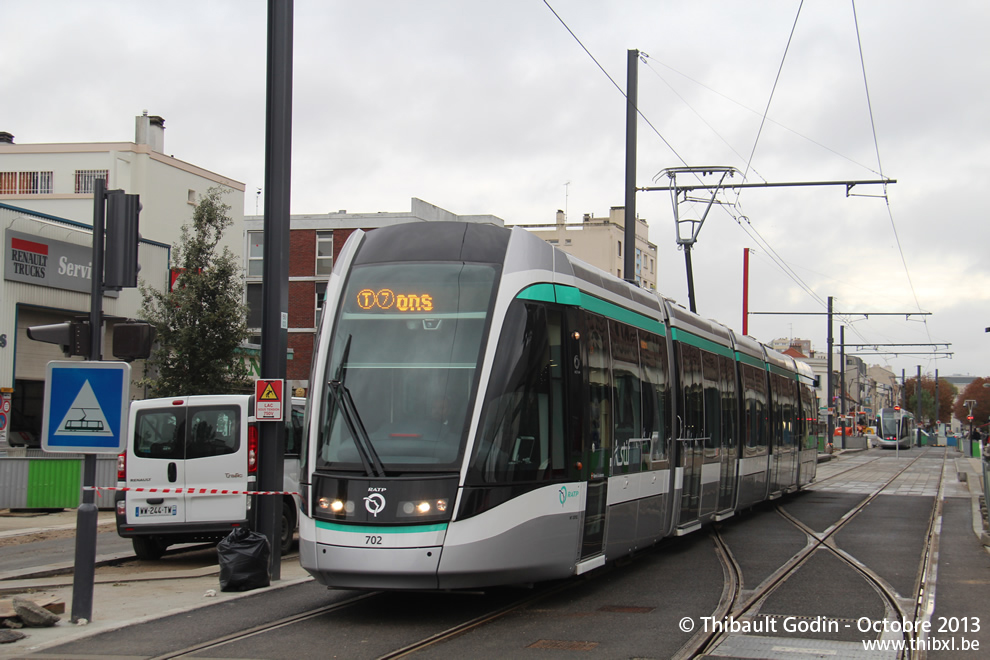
{"x": 486, "y": 409}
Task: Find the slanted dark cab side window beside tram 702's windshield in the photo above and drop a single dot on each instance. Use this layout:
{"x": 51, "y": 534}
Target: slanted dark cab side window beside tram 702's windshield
{"x": 515, "y": 438}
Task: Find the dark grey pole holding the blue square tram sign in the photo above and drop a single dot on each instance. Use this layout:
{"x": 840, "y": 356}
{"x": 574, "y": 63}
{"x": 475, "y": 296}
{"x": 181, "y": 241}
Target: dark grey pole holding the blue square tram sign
{"x": 84, "y": 571}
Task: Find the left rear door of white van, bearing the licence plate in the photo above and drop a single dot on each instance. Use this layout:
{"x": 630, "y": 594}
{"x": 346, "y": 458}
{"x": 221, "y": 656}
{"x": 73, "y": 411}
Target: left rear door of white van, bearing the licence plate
{"x": 155, "y": 461}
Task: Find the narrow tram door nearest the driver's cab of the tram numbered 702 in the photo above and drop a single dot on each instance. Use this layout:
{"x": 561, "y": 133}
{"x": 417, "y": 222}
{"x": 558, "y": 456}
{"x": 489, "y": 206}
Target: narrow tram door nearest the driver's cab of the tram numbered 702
{"x": 596, "y": 438}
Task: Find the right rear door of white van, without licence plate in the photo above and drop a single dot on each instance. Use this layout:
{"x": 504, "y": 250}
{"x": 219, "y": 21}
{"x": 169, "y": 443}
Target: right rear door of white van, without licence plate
{"x": 216, "y": 458}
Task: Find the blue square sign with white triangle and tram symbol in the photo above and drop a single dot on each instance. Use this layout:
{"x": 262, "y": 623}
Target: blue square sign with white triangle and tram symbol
{"x": 85, "y": 407}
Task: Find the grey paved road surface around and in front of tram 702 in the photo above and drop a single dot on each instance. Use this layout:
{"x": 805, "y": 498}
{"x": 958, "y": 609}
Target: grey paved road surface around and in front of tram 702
{"x": 636, "y": 608}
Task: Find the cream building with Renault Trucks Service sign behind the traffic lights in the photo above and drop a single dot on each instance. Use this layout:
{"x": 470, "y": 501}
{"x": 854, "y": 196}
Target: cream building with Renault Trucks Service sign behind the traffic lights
{"x": 46, "y": 211}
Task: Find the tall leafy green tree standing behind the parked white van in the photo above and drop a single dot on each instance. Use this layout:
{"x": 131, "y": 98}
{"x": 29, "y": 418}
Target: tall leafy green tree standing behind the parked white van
{"x": 201, "y": 322}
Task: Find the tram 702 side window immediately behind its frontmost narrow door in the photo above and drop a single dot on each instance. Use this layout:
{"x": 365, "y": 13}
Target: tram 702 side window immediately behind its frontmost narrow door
{"x": 629, "y": 443}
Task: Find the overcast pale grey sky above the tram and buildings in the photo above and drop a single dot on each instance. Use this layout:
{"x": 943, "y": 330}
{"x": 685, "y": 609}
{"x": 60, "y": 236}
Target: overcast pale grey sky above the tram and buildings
{"x": 495, "y": 108}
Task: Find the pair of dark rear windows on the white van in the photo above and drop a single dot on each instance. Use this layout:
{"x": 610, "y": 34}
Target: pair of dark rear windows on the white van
{"x": 186, "y": 433}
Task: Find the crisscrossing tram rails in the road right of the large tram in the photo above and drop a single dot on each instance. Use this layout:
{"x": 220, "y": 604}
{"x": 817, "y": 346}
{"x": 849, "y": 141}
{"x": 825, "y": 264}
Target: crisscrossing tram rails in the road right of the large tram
{"x": 738, "y": 604}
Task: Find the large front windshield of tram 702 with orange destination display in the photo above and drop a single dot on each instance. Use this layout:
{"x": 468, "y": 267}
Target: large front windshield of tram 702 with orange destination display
{"x": 405, "y": 353}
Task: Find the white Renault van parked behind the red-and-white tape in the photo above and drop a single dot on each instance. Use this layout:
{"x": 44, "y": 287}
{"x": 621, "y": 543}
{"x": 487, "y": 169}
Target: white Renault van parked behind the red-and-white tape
{"x": 208, "y": 443}
